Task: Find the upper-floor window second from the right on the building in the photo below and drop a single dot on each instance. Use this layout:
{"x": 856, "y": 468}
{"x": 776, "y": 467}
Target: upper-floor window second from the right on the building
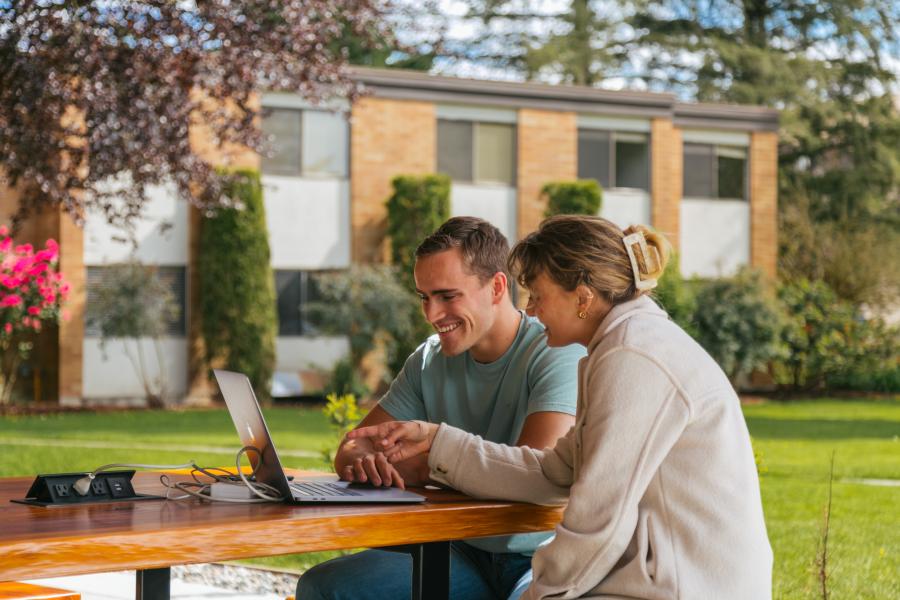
{"x": 616, "y": 159}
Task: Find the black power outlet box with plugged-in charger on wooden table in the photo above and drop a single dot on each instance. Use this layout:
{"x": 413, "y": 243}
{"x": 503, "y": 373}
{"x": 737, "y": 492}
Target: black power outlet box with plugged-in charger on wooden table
{"x": 58, "y": 489}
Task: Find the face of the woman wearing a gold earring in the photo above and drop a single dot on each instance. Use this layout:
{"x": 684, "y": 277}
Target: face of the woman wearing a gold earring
{"x": 557, "y": 309}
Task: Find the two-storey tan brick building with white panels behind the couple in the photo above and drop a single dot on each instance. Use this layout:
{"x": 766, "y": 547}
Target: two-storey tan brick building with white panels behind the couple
{"x": 706, "y": 175}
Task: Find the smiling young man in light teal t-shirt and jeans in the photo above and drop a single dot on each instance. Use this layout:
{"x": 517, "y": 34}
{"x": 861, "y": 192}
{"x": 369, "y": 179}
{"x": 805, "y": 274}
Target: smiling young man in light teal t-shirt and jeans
{"x": 488, "y": 370}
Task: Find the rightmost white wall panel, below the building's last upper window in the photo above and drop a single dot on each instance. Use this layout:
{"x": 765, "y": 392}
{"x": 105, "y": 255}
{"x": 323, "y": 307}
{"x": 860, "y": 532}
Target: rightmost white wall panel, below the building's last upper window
{"x": 715, "y": 237}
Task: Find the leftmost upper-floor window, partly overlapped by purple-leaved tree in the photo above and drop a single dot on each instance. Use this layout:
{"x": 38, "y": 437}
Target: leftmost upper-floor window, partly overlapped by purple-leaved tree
{"x": 305, "y": 143}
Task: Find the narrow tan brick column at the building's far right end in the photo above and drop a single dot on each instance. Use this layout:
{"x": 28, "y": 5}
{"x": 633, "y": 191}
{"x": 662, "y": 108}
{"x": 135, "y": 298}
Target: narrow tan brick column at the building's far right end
{"x": 764, "y": 201}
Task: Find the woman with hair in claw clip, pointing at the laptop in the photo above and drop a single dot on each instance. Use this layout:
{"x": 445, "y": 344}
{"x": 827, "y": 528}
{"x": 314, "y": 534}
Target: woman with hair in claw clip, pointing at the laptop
{"x": 663, "y": 495}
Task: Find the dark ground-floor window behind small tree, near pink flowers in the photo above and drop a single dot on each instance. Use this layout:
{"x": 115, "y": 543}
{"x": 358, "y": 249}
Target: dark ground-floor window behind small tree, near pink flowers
{"x": 172, "y": 278}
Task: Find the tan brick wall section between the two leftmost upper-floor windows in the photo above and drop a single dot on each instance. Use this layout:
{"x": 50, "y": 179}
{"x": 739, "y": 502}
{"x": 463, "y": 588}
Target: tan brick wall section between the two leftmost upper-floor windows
{"x": 388, "y": 138}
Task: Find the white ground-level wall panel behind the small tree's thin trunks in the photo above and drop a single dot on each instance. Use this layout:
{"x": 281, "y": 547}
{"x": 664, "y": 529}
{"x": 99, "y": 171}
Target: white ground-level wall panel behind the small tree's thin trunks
{"x": 109, "y": 373}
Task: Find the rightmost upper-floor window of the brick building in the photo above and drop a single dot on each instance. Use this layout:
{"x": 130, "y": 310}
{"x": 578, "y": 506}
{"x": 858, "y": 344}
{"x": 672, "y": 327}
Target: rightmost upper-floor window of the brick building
{"x": 712, "y": 171}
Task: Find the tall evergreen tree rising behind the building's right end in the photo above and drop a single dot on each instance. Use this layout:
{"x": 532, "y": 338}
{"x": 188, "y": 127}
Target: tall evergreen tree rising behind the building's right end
{"x": 826, "y": 67}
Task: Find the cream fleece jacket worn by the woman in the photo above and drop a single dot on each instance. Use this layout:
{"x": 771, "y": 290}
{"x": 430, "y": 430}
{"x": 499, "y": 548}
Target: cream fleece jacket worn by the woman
{"x": 663, "y": 494}
